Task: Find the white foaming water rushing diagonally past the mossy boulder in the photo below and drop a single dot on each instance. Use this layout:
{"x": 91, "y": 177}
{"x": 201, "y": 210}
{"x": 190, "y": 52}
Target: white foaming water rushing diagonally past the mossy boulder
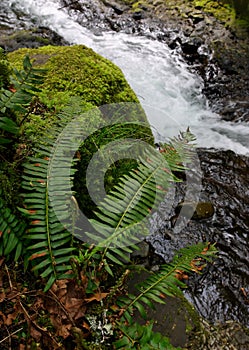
{"x": 169, "y": 92}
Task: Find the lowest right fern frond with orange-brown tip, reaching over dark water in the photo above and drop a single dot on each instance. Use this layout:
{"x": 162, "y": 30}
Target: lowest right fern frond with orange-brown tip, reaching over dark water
{"x": 165, "y": 281}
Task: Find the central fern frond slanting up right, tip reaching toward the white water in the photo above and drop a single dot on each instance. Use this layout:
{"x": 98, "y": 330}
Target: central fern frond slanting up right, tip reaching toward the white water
{"x": 123, "y": 217}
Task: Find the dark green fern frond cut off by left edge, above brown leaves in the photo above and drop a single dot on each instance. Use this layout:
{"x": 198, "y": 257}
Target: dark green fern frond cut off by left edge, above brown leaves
{"x": 12, "y": 232}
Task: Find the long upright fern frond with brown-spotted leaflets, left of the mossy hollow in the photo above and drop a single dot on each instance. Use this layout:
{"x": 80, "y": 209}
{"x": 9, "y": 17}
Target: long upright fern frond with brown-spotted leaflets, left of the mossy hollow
{"x": 47, "y": 182}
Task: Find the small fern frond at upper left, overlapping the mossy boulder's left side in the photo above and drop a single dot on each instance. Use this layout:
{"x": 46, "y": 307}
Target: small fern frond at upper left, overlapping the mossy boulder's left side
{"x": 24, "y": 87}
